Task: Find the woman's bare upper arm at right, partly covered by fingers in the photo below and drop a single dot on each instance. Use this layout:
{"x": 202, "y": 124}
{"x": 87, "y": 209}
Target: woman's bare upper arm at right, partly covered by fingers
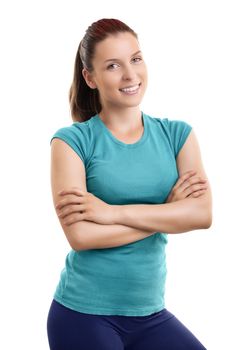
{"x": 189, "y": 158}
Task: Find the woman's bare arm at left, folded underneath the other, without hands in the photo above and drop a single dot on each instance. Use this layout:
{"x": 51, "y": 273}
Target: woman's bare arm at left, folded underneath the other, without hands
{"x": 67, "y": 170}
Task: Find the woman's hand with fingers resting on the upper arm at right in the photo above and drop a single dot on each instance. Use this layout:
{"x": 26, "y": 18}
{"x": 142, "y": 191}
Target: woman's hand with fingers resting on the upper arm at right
{"x": 187, "y": 186}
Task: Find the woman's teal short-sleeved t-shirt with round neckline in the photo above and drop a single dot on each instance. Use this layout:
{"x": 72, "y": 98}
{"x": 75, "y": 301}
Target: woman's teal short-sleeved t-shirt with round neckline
{"x": 130, "y": 279}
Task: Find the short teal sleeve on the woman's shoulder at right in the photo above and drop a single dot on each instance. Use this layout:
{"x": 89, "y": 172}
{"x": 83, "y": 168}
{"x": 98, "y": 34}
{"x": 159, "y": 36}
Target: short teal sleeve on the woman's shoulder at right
{"x": 179, "y": 131}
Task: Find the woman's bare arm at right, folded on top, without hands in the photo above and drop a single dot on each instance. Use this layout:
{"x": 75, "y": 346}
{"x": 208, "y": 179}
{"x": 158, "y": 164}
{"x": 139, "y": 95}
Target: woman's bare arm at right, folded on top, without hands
{"x": 180, "y": 216}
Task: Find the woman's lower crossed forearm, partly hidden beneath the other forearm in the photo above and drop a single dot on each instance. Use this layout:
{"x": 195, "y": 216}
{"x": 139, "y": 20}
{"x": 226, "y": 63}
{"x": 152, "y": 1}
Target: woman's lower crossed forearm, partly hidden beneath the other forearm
{"x": 95, "y": 236}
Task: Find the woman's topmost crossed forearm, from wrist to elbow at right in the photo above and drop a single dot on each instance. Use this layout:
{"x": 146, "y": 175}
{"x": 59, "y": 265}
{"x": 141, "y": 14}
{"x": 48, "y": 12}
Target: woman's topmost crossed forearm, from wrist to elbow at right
{"x": 176, "y": 217}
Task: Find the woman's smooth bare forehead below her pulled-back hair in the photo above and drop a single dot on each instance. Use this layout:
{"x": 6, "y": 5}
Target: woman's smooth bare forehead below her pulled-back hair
{"x": 118, "y": 45}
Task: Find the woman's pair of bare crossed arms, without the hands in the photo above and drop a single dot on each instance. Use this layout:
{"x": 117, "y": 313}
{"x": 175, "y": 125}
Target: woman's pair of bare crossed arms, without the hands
{"x": 132, "y": 222}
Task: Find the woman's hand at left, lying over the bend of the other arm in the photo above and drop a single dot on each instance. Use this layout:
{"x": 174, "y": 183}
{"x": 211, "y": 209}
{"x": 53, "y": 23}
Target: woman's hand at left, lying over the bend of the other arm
{"x": 78, "y": 205}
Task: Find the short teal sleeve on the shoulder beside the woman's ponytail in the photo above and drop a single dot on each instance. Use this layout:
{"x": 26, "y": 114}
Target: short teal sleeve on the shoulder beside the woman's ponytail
{"x": 75, "y": 136}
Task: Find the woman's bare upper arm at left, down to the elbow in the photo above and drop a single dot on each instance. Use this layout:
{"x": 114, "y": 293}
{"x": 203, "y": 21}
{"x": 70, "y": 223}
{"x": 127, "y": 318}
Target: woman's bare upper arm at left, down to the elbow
{"x": 67, "y": 170}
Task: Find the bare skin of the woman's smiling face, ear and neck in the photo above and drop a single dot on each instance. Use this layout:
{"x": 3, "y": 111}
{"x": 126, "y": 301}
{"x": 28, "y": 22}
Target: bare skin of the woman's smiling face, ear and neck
{"x": 120, "y": 112}
